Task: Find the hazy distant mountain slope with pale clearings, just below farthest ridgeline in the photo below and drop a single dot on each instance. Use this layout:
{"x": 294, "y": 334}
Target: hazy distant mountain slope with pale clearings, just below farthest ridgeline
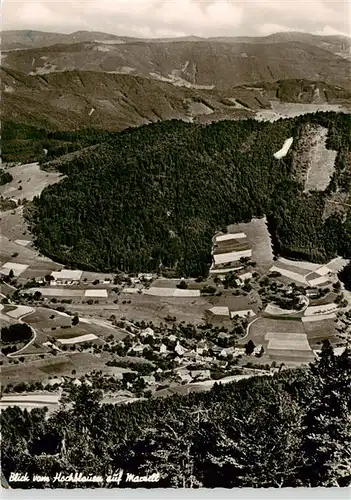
{"x": 205, "y": 63}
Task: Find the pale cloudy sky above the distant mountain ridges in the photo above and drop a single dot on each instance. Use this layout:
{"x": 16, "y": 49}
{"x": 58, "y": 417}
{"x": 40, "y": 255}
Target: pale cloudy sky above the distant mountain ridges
{"x": 163, "y": 18}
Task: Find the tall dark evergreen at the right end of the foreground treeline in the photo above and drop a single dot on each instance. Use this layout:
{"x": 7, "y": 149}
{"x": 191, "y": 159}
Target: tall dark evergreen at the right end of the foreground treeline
{"x": 326, "y": 436}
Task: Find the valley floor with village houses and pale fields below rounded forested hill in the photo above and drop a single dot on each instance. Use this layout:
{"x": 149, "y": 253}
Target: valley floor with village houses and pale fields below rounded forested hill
{"x": 149, "y": 335}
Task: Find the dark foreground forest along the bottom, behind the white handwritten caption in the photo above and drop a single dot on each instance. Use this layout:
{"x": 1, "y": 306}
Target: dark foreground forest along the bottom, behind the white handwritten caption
{"x": 291, "y": 429}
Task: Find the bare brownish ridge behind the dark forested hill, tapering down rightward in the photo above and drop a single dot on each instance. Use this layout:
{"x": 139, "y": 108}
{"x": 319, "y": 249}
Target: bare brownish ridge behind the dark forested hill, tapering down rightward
{"x": 60, "y": 101}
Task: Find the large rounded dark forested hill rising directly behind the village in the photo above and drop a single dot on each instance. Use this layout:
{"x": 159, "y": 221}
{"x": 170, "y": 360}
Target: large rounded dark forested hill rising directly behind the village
{"x": 154, "y": 196}
